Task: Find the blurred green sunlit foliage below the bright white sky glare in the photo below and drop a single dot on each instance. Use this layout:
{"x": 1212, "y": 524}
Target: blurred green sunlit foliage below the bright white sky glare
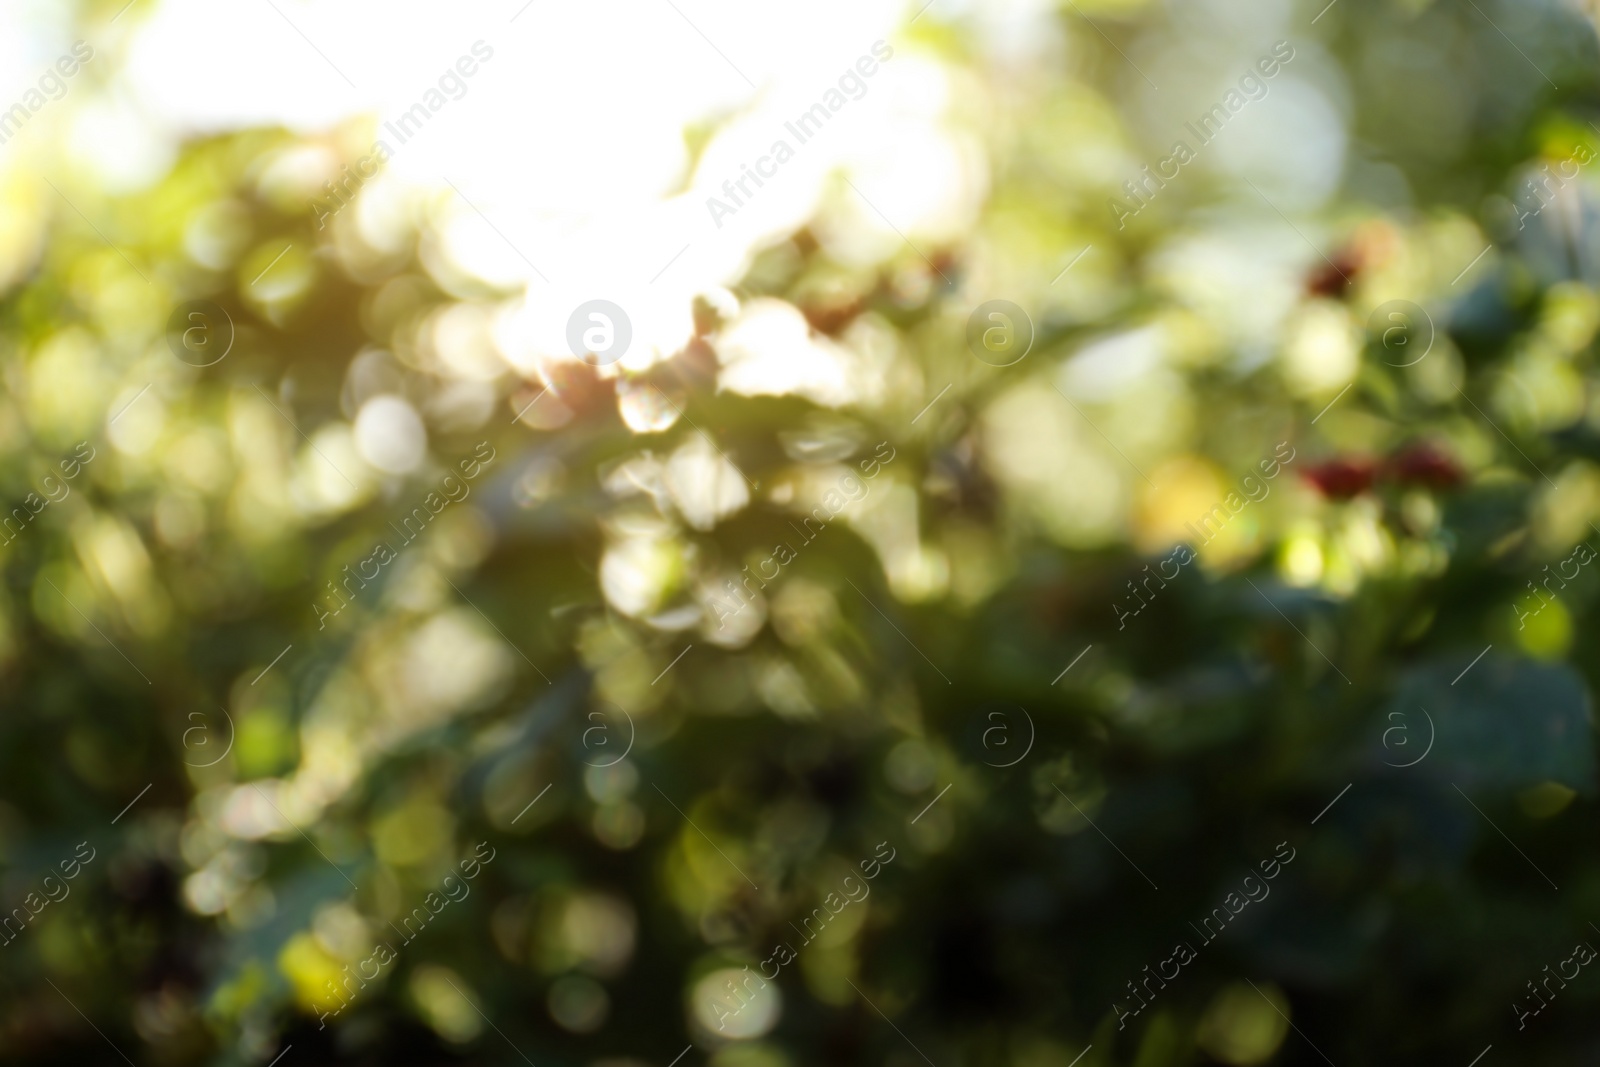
{"x": 316, "y": 777}
